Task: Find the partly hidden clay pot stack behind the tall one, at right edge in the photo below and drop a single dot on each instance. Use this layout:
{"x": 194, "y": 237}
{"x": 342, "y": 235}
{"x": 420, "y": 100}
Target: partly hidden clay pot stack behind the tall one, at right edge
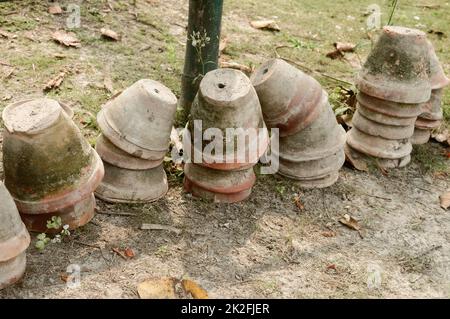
{"x": 432, "y": 115}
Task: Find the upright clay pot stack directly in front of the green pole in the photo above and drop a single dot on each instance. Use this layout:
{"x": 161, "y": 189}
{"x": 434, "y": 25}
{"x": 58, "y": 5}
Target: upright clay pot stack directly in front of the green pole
{"x": 226, "y": 100}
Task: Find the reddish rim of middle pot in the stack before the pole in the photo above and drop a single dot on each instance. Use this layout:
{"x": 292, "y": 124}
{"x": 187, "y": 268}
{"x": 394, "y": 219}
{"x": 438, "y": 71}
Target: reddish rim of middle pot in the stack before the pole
{"x": 213, "y": 184}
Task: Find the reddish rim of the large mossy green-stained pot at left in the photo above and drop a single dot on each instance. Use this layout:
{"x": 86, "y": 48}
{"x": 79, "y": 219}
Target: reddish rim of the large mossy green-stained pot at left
{"x": 92, "y": 176}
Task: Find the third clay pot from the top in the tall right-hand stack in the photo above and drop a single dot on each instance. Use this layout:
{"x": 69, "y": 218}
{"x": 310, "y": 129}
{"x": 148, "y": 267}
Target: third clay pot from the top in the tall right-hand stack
{"x": 390, "y": 132}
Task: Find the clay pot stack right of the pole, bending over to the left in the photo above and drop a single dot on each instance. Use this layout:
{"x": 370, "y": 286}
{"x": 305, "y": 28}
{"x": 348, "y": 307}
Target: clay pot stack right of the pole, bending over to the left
{"x": 310, "y": 140}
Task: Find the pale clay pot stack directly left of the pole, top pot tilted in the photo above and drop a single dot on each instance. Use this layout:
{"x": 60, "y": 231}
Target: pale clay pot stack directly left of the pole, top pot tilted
{"x": 135, "y": 127}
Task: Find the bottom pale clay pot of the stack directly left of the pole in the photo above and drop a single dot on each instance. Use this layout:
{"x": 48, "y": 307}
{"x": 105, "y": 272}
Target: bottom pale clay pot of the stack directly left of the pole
{"x": 122, "y": 185}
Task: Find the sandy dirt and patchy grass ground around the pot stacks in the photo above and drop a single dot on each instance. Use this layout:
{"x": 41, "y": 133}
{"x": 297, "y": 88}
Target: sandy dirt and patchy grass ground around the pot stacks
{"x": 266, "y": 246}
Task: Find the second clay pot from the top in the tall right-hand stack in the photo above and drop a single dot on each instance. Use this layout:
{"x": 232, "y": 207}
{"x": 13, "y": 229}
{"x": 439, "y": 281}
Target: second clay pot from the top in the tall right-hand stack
{"x": 387, "y": 112}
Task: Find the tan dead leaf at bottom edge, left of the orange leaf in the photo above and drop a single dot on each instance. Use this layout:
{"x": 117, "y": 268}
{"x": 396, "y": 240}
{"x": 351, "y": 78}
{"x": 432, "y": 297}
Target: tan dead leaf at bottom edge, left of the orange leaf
{"x": 163, "y": 288}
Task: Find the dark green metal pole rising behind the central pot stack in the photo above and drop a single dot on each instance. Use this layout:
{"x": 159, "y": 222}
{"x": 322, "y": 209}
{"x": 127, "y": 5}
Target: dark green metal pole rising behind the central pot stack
{"x": 205, "y": 19}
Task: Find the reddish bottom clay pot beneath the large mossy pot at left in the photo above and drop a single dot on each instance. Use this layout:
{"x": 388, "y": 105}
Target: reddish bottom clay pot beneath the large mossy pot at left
{"x": 75, "y": 216}
